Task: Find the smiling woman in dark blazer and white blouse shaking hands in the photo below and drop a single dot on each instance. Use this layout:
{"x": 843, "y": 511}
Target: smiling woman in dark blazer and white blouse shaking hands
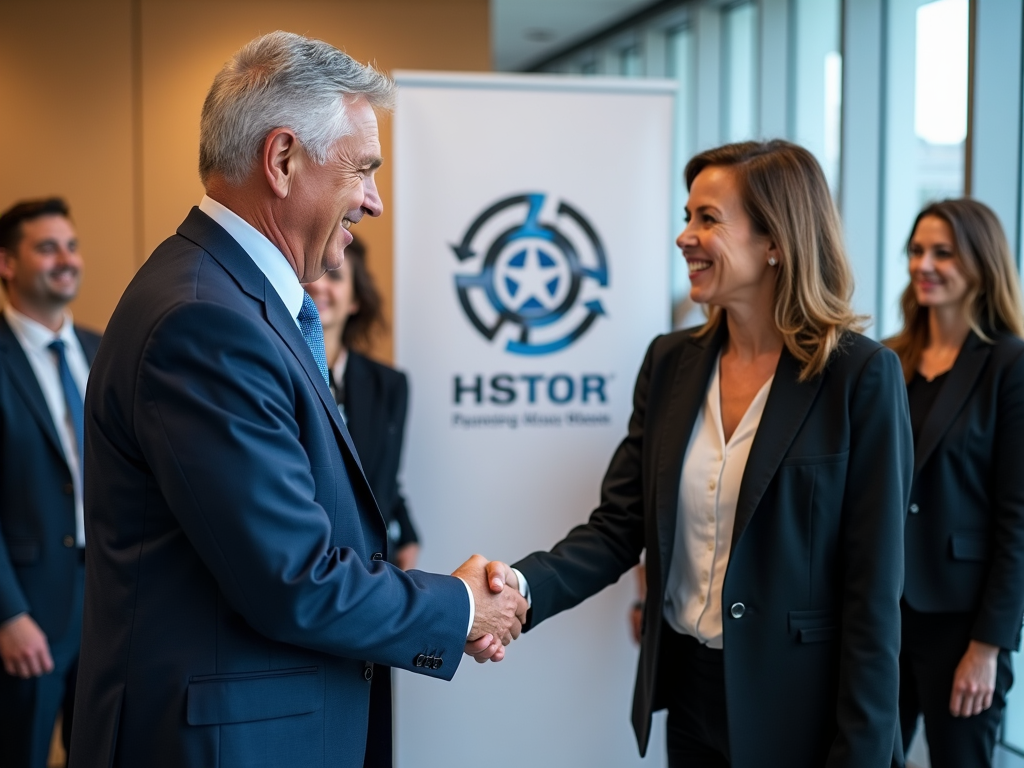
{"x": 766, "y": 473}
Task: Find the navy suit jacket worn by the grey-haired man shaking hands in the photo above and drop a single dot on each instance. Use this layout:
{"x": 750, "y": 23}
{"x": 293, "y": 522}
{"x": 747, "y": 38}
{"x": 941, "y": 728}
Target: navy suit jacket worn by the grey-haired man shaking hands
{"x": 237, "y": 584}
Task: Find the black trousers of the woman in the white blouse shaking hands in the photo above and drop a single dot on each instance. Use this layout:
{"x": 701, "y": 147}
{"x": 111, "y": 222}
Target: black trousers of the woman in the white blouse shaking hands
{"x": 694, "y": 679}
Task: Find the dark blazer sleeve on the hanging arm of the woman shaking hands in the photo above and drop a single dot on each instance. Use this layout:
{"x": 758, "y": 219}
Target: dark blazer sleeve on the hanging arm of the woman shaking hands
{"x": 877, "y": 494}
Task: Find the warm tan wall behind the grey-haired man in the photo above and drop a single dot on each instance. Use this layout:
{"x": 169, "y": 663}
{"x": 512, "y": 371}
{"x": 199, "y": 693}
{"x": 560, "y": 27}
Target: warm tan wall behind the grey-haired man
{"x": 102, "y": 100}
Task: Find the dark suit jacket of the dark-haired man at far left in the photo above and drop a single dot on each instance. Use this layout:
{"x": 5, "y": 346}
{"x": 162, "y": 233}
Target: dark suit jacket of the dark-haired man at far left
{"x": 38, "y": 557}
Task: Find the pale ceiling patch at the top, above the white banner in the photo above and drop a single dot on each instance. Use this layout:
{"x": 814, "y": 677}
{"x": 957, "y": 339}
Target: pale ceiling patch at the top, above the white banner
{"x": 524, "y": 32}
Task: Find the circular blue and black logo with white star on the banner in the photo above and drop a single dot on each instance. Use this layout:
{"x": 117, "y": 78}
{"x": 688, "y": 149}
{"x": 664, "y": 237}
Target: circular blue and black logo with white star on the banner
{"x": 542, "y": 278}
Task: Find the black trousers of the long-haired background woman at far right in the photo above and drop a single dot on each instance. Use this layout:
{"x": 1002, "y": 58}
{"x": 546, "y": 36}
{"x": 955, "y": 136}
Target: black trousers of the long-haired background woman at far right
{"x": 932, "y": 648}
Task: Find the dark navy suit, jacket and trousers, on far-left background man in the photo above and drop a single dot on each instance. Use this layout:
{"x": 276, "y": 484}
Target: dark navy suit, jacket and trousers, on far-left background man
{"x": 41, "y": 572}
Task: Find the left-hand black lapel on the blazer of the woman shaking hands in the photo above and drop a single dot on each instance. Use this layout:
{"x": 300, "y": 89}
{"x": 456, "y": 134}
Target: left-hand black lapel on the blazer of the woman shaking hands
{"x": 690, "y": 389}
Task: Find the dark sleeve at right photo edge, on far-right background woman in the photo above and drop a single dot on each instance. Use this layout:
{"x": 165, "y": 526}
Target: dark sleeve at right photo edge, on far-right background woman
{"x": 999, "y": 618}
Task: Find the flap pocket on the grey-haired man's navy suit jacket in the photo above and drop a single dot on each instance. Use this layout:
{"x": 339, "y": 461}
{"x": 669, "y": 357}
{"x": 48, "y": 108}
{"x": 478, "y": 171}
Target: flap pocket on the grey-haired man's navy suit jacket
{"x": 243, "y": 698}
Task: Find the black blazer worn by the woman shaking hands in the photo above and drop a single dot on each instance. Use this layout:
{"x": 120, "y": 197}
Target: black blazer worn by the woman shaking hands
{"x": 812, "y": 595}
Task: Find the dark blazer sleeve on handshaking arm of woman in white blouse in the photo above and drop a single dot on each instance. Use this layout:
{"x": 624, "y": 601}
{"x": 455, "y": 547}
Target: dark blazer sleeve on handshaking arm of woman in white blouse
{"x": 598, "y": 553}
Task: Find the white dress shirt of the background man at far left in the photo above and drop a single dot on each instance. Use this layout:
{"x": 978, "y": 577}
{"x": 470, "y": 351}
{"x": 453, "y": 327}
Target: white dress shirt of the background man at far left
{"x": 35, "y": 340}
